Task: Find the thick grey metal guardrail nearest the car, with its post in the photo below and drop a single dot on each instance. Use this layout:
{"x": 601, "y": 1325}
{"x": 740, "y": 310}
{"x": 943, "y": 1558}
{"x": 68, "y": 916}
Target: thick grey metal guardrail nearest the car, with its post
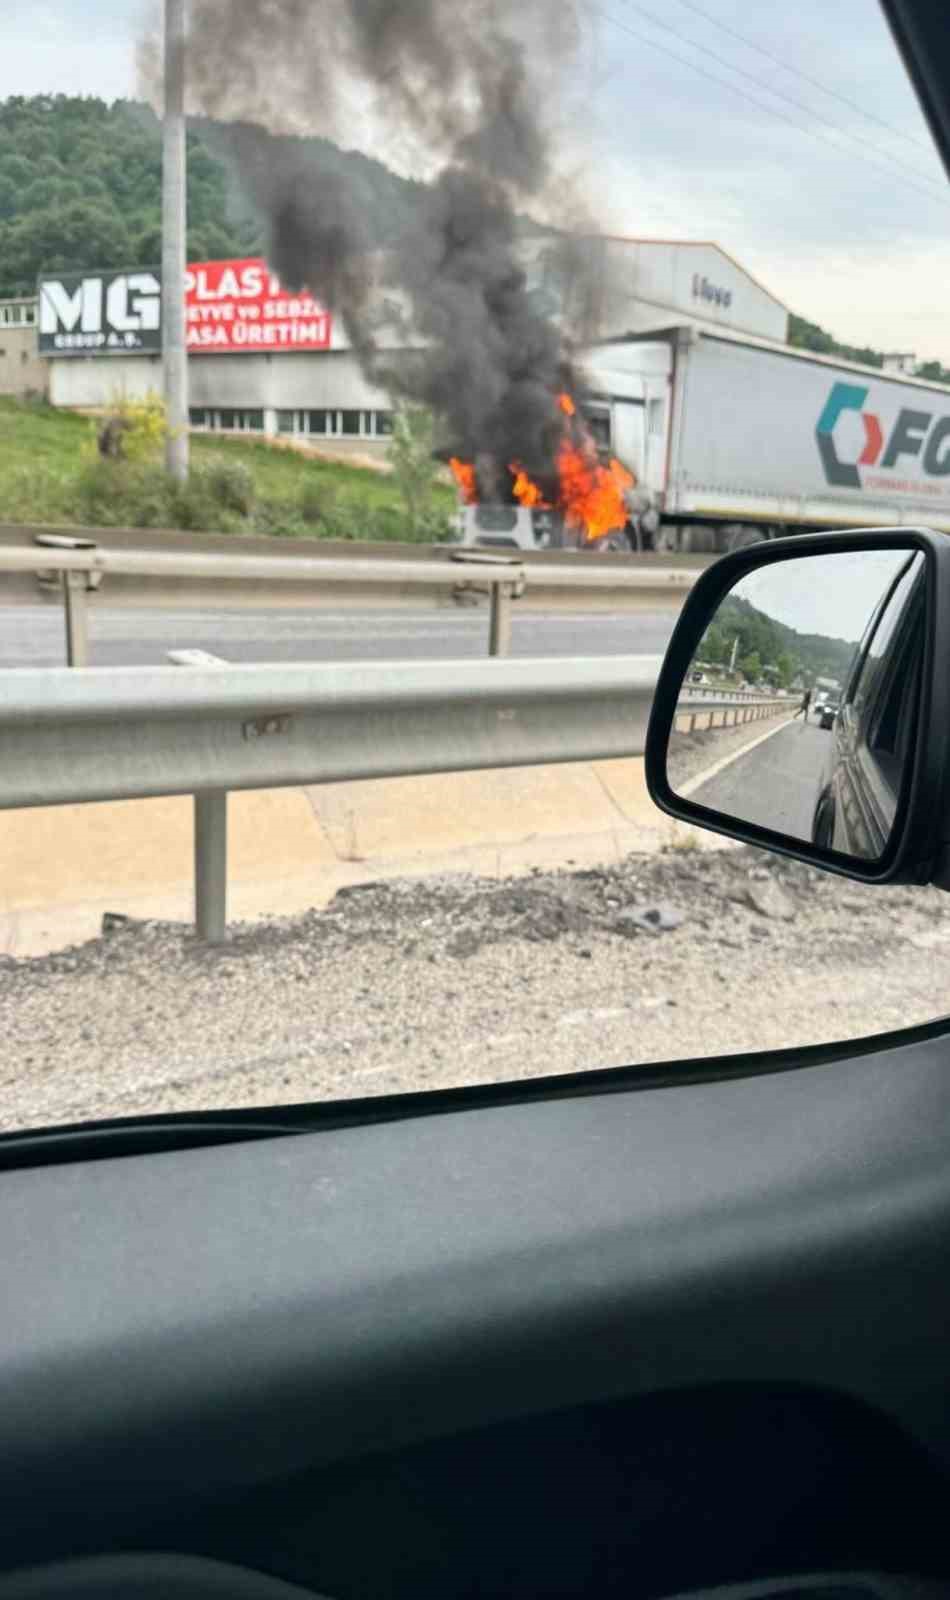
{"x": 73, "y": 737}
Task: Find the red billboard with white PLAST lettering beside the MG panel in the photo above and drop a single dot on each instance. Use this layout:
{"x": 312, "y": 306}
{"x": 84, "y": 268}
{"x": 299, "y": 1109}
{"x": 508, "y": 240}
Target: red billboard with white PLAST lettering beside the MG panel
{"x": 241, "y": 306}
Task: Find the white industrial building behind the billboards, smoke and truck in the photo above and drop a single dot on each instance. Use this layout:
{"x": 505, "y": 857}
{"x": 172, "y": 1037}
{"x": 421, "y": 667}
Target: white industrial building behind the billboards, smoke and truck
{"x": 641, "y": 286}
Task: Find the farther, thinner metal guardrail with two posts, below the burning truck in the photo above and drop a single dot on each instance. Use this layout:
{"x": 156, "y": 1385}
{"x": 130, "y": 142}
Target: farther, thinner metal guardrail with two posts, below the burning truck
{"x": 79, "y": 569}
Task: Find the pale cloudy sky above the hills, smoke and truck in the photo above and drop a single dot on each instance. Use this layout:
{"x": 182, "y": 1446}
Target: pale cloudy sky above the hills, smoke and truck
{"x": 824, "y": 186}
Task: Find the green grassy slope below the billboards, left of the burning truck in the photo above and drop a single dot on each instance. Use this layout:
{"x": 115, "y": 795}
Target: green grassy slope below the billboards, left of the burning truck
{"x": 46, "y": 455}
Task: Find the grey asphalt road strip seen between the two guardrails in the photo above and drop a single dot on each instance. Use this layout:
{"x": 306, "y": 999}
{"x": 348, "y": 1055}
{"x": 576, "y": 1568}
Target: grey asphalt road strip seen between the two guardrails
{"x": 34, "y": 636}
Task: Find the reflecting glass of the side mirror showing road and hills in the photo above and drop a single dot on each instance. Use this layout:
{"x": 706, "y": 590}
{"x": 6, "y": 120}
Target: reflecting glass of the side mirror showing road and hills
{"x": 799, "y": 708}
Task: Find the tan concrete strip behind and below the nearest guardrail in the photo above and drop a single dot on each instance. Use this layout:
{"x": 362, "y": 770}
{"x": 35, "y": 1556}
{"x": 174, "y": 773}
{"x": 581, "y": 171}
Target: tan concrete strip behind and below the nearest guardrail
{"x": 62, "y": 868}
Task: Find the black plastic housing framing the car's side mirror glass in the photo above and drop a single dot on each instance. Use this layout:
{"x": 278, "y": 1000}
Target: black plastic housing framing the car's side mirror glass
{"x": 919, "y": 846}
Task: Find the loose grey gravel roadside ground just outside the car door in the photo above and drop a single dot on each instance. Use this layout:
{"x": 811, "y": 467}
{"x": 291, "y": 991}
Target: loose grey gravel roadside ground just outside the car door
{"x": 439, "y": 983}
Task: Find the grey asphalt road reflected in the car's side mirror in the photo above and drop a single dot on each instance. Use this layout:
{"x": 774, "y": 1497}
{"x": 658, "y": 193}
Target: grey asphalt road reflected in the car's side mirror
{"x": 773, "y": 785}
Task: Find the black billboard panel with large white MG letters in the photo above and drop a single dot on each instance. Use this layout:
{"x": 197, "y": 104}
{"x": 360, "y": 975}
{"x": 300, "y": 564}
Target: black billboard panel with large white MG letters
{"x": 100, "y": 313}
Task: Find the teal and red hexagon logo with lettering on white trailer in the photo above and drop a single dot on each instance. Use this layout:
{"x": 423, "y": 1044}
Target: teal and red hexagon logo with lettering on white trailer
{"x": 914, "y": 434}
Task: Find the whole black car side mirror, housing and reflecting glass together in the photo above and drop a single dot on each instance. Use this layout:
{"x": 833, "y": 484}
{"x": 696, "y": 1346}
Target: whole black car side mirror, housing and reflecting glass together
{"x": 804, "y": 703}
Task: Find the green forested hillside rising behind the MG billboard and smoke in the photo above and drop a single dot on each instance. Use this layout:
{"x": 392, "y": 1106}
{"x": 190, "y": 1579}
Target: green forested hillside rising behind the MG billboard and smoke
{"x": 81, "y": 186}
